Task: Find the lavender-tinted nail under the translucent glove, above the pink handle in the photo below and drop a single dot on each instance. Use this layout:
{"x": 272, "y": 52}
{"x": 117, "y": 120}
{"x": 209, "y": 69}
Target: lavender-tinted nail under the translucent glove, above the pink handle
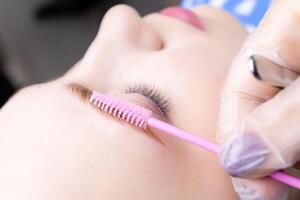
{"x": 242, "y": 154}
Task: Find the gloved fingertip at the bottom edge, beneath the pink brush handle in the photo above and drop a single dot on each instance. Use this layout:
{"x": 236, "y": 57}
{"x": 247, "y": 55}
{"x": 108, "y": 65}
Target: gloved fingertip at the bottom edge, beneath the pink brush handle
{"x": 260, "y": 189}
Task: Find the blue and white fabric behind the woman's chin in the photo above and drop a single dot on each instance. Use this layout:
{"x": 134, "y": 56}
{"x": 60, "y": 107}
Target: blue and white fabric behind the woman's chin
{"x": 248, "y": 12}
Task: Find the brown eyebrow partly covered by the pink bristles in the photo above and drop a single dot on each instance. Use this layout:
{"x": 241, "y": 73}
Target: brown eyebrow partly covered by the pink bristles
{"x": 84, "y": 95}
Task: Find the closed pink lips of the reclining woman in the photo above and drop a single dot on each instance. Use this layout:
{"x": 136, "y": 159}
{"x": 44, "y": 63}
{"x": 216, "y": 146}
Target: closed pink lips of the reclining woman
{"x": 183, "y": 15}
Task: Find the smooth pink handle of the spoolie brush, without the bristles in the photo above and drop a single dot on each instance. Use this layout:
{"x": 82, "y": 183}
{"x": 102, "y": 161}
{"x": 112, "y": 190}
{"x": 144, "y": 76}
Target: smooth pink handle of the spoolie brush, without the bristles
{"x": 191, "y": 138}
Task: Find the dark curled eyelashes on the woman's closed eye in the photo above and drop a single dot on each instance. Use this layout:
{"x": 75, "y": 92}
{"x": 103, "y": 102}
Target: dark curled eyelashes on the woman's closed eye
{"x": 153, "y": 94}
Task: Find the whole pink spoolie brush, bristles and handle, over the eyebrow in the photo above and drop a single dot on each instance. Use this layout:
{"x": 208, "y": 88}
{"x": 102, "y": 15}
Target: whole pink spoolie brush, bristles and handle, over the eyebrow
{"x": 142, "y": 118}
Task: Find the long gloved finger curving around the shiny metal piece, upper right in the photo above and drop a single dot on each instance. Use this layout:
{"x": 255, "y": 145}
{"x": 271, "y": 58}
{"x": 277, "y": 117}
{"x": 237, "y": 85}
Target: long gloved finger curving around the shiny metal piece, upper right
{"x": 277, "y": 39}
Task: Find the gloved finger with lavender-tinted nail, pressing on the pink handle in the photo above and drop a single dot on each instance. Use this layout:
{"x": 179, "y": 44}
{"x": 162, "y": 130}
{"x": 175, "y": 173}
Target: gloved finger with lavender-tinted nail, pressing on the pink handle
{"x": 269, "y": 137}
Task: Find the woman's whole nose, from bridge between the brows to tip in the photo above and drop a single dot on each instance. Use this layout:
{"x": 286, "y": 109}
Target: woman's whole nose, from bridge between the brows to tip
{"x": 123, "y": 38}
